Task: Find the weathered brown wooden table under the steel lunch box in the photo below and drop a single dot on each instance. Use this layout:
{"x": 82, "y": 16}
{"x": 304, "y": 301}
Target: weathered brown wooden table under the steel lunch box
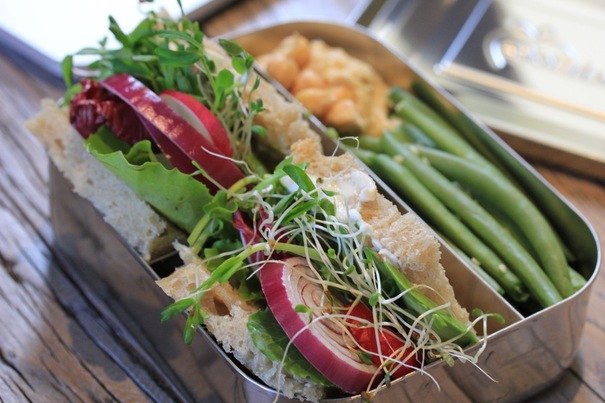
{"x": 54, "y": 344}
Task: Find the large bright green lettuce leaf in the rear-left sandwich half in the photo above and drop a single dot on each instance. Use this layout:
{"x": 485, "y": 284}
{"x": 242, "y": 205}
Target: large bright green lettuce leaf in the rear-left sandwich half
{"x": 178, "y": 196}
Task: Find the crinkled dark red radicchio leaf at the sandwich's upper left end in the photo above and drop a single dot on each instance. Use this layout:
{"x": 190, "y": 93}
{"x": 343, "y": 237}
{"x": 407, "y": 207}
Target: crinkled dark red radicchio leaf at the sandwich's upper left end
{"x": 94, "y": 106}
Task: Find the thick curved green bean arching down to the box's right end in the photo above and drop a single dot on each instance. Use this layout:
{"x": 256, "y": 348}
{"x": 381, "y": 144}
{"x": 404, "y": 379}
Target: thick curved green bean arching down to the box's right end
{"x": 515, "y": 205}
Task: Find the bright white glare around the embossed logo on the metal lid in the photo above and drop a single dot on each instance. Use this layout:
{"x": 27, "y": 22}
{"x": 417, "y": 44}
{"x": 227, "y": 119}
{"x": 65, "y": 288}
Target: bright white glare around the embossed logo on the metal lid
{"x": 547, "y": 54}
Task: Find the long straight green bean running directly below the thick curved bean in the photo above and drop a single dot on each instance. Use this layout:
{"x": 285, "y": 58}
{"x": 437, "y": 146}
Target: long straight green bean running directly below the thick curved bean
{"x": 517, "y": 258}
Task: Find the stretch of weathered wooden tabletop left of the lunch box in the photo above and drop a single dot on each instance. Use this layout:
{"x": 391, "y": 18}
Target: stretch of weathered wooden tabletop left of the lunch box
{"x": 54, "y": 344}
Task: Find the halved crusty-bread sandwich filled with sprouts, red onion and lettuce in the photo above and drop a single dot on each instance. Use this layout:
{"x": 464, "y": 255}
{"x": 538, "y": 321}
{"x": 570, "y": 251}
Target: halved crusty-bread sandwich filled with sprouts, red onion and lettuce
{"x": 292, "y": 260}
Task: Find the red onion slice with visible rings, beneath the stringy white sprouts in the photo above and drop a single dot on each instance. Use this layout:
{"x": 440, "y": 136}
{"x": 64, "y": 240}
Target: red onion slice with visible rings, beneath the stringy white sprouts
{"x": 286, "y": 285}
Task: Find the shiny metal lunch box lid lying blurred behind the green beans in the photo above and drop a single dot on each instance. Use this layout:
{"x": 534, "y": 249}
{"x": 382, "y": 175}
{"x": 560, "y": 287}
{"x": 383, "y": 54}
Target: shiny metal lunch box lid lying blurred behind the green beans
{"x": 532, "y": 69}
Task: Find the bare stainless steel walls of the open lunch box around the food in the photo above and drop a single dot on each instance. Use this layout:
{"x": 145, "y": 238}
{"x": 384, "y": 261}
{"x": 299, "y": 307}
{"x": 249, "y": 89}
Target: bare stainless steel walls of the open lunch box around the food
{"x": 522, "y": 356}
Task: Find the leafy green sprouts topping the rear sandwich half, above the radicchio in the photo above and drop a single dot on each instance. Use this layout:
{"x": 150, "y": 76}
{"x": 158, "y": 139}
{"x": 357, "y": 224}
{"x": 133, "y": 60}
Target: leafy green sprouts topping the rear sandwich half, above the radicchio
{"x": 164, "y": 53}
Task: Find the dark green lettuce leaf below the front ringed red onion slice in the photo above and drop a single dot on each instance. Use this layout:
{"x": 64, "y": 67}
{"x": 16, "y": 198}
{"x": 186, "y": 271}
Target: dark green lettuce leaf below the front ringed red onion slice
{"x": 268, "y": 336}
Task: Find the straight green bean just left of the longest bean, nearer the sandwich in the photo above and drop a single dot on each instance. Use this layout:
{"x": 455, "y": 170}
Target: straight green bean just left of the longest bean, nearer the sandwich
{"x": 423, "y": 201}
